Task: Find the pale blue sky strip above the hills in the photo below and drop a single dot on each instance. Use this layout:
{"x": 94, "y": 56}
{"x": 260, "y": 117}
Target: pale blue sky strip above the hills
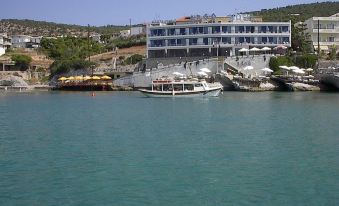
{"x": 119, "y": 12}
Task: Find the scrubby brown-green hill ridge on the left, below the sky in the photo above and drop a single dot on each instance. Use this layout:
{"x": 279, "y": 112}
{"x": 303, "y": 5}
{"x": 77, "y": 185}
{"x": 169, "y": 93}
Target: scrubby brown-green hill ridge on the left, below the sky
{"x": 42, "y": 28}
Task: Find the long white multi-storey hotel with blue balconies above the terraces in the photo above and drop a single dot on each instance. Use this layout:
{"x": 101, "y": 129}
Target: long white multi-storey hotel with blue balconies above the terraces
{"x": 208, "y": 35}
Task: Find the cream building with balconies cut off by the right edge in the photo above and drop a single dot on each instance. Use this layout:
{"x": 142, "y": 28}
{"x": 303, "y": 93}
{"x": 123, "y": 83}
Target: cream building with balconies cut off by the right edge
{"x": 328, "y": 32}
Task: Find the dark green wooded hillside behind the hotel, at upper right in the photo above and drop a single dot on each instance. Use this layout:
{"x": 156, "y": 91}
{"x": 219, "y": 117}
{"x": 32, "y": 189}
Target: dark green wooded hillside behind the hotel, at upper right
{"x": 305, "y": 11}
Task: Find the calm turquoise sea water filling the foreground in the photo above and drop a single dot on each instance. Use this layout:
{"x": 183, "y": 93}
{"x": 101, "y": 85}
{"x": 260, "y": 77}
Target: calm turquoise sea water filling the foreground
{"x": 123, "y": 149}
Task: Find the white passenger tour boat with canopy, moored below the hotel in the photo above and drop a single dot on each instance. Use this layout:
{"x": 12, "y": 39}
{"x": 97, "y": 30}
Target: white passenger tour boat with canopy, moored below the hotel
{"x": 182, "y": 88}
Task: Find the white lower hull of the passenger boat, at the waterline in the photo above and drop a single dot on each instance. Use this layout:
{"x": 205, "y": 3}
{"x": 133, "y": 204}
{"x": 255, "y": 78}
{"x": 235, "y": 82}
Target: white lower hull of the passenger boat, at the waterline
{"x": 208, "y": 93}
